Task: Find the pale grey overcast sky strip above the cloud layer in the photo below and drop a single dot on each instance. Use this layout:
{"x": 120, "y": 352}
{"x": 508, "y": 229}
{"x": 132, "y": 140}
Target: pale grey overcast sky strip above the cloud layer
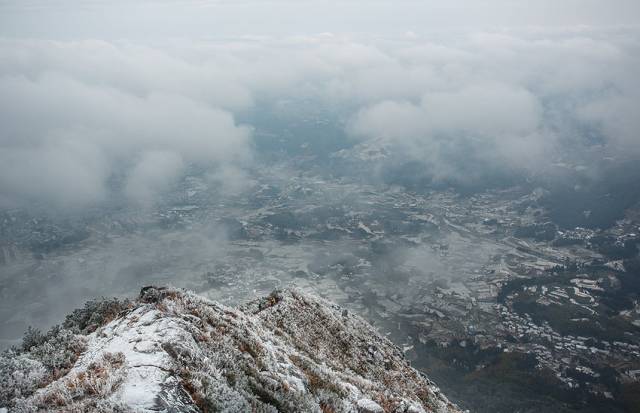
{"x": 204, "y": 18}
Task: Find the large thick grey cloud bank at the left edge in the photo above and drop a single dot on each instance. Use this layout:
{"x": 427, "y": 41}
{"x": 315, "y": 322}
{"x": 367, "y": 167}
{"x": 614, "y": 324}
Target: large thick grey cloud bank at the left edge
{"x": 67, "y": 128}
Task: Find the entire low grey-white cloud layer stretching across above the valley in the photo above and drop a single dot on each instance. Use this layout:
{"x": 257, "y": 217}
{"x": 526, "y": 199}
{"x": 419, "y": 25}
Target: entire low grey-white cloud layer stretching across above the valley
{"x": 76, "y": 114}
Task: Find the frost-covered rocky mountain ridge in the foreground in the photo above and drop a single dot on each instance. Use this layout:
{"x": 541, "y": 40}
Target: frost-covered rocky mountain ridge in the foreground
{"x": 174, "y": 351}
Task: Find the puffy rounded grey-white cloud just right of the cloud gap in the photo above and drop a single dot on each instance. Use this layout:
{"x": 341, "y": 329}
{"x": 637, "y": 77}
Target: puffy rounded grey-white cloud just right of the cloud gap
{"x": 497, "y": 122}
